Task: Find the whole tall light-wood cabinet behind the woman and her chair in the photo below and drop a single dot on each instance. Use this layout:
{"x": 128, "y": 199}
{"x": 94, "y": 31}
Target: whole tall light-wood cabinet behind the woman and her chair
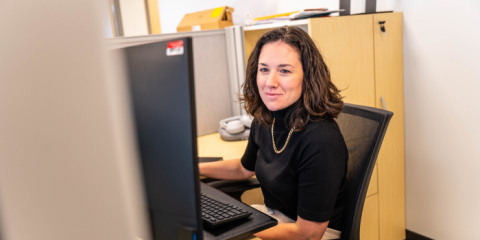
{"x": 367, "y": 65}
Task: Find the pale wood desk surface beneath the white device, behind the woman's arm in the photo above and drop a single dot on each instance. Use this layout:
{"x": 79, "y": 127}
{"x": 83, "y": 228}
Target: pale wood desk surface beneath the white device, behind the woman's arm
{"x": 212, "y": 145}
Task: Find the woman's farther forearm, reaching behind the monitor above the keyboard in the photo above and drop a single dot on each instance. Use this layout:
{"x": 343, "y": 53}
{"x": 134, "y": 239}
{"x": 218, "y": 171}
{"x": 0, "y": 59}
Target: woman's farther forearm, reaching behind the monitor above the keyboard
{"x": 228, "y": 170}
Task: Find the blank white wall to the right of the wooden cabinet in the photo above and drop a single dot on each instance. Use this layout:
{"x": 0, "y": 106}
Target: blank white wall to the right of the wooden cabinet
{"x": 442, "y": 116}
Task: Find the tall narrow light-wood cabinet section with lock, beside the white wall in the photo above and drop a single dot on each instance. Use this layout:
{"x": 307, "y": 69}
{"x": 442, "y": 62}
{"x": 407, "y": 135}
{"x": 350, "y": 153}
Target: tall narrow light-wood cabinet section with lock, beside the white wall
{"x": 389, "y": 86}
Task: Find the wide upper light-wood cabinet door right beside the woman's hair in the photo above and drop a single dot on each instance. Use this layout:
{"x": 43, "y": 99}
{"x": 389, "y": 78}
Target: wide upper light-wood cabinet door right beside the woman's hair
{"x": 346, "y": 44}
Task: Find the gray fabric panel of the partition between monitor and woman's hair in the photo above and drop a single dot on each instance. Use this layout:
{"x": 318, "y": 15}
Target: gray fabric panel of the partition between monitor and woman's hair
{"x": 212, "y": 89}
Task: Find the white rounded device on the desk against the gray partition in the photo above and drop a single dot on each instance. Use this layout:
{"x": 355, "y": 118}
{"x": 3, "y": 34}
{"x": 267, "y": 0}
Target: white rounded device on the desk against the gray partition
{"x": 235, "y": 128}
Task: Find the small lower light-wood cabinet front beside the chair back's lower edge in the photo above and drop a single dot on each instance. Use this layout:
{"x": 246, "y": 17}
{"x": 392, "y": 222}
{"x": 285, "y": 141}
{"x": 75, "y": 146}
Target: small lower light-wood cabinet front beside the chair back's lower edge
{"x": 369, "y": 225}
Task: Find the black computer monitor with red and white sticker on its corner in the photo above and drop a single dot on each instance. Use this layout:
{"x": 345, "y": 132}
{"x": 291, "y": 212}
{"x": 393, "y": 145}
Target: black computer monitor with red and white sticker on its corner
{"x": 163, "y": 102}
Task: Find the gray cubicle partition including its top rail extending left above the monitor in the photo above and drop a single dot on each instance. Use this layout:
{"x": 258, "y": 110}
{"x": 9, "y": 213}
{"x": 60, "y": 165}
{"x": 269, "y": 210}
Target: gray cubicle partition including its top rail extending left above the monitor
{"x": 214, "y": 92}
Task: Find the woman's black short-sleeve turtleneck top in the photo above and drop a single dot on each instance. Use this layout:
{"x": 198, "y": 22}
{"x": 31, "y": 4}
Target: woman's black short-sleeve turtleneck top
{"x": 307, "y": 179}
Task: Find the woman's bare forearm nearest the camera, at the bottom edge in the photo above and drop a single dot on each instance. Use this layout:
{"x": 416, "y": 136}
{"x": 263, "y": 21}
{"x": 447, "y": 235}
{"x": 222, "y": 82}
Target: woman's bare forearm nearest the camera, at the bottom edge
{"x": 301, "y": 230}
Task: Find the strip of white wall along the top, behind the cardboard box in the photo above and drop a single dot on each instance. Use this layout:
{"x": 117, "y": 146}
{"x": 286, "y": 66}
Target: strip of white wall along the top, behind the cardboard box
{"x": 172, "y": 12}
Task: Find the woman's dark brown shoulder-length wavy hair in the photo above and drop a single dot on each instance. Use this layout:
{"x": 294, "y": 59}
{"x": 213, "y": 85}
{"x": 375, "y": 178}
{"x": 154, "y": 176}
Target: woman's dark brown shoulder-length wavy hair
{"x": 320, "y": 98}
